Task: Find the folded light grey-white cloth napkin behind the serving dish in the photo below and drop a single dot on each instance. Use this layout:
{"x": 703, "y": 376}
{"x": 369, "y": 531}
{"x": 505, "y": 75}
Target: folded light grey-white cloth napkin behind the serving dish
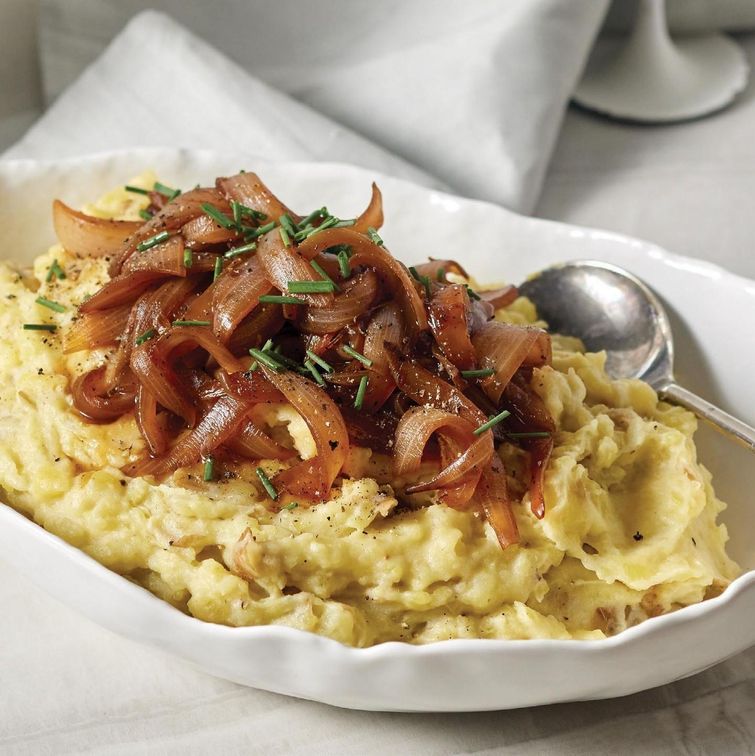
{"x": 471, "y": 96}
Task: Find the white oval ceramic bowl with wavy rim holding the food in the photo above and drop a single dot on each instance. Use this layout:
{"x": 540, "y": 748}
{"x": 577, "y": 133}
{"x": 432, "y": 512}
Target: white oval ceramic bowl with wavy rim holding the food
{"x": 712, "y": 314}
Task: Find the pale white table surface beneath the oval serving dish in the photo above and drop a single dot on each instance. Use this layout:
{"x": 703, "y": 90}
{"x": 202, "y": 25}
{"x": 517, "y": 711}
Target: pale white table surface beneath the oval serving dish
{"x": 688, "y": 187}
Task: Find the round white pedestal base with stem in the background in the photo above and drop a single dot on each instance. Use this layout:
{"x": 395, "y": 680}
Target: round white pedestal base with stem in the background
{"x": 655, "y": 79}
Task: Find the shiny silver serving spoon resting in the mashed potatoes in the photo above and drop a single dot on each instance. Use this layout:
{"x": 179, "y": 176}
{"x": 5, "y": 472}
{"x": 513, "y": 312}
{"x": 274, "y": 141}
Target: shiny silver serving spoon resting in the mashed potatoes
{"x": 609, "y": 308}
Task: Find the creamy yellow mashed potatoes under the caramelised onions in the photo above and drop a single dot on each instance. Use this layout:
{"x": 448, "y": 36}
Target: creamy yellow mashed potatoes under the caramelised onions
{"x": 630, "y": 528}
